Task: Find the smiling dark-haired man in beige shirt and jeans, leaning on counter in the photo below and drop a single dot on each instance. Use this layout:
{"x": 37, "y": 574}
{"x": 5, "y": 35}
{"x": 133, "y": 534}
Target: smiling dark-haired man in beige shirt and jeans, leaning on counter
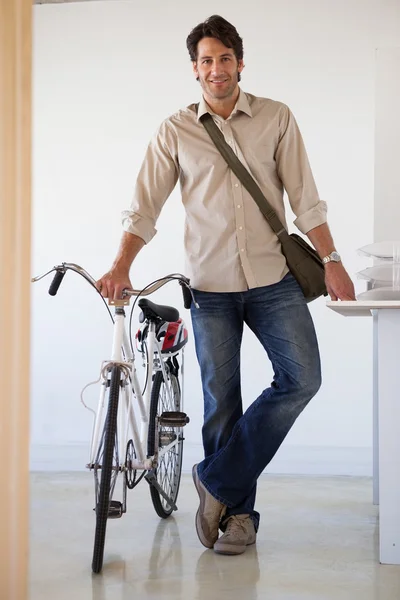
{"x": 238, "y": 271}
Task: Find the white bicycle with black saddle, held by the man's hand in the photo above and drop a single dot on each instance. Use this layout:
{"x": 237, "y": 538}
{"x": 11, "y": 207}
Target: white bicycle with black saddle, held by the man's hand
{"x": 116, "y": 446}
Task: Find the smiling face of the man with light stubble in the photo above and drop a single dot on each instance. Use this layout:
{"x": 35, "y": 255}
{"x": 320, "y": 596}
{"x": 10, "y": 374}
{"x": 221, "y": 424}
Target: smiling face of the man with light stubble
{"x": 217, "y": 69}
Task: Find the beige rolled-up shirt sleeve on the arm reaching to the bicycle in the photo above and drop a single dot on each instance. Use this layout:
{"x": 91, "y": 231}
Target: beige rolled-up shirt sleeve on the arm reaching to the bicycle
{"x": 155, "y": 182}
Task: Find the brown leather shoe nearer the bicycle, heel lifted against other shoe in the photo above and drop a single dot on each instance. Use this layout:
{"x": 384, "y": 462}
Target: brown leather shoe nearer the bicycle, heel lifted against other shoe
{"x": 209, "y": 514}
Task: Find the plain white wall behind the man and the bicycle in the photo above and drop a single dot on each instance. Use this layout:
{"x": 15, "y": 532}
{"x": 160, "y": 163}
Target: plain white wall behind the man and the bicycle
{"x": 105, "y": 75}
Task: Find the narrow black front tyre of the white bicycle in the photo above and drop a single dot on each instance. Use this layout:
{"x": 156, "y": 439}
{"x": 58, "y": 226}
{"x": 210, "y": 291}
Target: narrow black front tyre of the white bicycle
{"x": 102, "y": 507}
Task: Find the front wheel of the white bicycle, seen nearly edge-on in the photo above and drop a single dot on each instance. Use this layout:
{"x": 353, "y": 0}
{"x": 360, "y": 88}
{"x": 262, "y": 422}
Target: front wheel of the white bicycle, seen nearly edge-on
{"x": 107, "y": 464}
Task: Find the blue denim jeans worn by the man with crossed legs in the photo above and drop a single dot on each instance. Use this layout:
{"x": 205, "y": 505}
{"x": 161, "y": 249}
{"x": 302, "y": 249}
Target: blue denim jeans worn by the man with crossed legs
{"x": 239, "y": 446}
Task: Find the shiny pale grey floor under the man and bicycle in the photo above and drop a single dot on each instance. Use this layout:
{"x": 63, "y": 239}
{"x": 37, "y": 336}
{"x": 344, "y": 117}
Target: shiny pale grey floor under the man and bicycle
{"x": 318, "y": 540}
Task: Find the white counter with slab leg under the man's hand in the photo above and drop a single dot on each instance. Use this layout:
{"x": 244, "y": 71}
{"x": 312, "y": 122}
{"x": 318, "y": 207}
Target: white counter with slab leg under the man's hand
{"x": 386, "y": 384}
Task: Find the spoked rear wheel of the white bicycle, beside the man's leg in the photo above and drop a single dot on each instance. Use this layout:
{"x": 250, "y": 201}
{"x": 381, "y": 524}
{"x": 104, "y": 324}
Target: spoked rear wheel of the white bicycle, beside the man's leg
{"x": 169, "y": 468}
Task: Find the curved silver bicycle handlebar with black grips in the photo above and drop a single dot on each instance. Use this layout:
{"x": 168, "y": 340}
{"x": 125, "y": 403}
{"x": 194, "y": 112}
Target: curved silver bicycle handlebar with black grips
{"x": 62, "y": 269}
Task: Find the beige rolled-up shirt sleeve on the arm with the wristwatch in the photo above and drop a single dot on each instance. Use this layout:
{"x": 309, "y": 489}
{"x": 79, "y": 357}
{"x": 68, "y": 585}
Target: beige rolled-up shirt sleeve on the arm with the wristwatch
{"x": 295, "y": 173}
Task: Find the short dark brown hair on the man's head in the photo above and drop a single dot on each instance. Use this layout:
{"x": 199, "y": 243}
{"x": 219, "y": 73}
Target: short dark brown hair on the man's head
{"x": 216, "y": 27}
